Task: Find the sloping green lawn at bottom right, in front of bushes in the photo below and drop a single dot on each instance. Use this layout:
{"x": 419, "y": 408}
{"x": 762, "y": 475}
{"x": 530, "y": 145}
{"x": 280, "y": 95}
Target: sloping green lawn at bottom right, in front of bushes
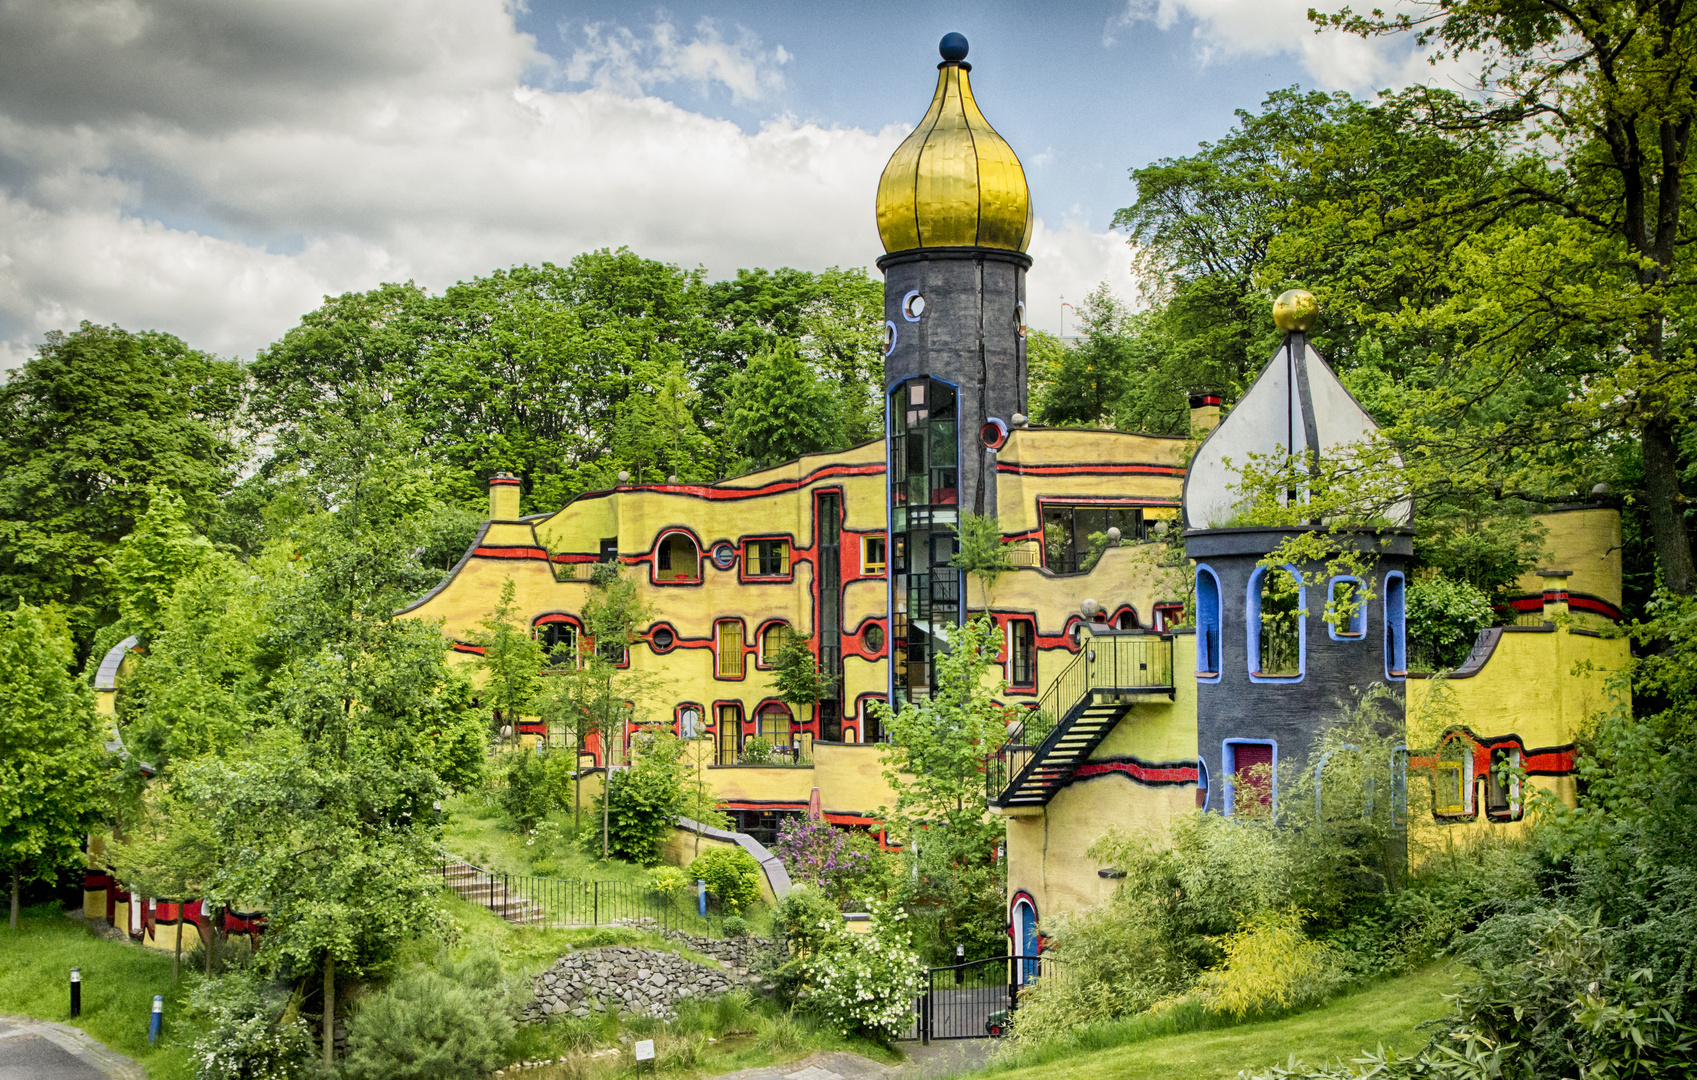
{"x": 1387, "y": 1015}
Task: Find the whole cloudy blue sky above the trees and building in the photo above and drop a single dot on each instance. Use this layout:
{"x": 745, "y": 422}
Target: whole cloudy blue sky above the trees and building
{"x": 213, "y": 167}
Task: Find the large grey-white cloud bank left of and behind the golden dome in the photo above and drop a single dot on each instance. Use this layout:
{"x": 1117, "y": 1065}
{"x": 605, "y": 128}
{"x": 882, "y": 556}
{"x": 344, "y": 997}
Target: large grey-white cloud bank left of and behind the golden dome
{"x": 215, "y": 171}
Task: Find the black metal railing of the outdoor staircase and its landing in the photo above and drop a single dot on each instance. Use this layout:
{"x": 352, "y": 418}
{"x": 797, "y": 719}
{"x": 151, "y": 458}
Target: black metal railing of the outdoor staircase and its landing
{"x": 1109, "y": 667}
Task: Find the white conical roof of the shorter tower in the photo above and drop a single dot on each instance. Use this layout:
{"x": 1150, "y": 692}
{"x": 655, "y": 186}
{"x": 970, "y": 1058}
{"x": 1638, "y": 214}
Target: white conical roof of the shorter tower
{"x": 1296, "y": 403}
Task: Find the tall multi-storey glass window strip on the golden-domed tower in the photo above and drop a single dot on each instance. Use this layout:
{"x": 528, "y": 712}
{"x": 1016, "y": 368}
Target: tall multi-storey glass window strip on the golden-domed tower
{"x": 924, "y": 515}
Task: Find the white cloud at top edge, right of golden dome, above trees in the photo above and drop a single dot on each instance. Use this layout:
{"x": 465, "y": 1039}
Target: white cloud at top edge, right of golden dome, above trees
{"x": 1226, "y": 30}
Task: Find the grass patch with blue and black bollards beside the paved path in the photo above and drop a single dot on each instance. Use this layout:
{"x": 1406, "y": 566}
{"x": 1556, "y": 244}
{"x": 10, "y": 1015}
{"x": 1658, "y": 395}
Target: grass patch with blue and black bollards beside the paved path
{"x": 120, "y": 982}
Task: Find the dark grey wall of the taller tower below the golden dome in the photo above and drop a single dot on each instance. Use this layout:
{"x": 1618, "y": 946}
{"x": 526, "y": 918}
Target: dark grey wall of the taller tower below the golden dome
{"x": 968, "y": 337}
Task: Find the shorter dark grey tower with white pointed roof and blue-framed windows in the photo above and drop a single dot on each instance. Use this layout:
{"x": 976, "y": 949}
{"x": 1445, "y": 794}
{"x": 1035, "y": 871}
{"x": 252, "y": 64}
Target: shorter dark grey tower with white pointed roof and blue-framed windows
{"x": 1270, "y": 667}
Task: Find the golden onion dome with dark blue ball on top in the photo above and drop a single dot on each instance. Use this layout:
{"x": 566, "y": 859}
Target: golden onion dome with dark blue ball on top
{"x": 955, "y": 183}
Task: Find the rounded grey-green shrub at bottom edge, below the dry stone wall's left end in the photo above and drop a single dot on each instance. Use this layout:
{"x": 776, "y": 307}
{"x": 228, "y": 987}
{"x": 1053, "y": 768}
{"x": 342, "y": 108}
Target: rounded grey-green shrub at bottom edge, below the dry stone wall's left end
{"x": 445, "y": 1025}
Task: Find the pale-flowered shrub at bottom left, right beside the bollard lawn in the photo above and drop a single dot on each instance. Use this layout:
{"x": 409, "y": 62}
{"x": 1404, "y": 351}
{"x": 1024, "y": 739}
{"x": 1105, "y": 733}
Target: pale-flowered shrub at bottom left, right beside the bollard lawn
{"x": 249, "y": 1037}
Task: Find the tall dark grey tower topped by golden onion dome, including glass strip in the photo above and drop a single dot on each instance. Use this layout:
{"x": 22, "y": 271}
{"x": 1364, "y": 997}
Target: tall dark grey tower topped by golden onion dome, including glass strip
{"x": 955, "y": 215}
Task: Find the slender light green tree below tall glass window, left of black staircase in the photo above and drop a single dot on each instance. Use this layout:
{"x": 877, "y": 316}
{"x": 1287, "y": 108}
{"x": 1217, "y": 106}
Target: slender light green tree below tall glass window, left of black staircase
{"x": 936, "y": 765}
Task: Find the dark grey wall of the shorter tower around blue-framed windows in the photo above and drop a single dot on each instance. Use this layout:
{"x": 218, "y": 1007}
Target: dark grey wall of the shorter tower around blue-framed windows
{"x": 1289, "y": 714}
